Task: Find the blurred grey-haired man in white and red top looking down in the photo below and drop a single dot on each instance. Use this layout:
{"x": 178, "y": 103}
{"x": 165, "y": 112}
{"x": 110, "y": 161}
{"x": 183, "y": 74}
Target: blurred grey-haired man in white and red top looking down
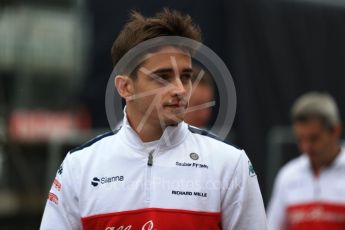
{"x": 309, "y": 192}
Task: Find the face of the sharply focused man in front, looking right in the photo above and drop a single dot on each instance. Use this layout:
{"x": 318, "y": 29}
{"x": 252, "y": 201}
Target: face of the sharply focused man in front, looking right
{"x": 163, "y": 87}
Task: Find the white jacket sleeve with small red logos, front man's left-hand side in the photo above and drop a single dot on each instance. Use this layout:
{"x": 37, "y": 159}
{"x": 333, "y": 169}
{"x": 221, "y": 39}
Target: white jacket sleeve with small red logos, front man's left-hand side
{"x": 61, "y": 210}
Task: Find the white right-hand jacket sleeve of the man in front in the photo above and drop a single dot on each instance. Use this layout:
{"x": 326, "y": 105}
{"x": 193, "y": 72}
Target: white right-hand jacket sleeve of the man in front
{"x": 242, "y": 205}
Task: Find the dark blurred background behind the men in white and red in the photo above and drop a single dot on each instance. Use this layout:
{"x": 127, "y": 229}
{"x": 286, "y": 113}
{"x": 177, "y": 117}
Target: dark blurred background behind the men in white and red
{"x": 55, "y": 63}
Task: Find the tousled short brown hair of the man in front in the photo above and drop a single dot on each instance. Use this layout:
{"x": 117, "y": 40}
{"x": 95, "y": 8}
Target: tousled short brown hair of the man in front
{"x": 139, "y": 28}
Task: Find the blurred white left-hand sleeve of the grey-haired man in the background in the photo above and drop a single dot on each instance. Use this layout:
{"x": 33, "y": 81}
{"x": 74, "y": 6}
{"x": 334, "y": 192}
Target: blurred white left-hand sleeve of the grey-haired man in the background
{"x": 276, "y": 207}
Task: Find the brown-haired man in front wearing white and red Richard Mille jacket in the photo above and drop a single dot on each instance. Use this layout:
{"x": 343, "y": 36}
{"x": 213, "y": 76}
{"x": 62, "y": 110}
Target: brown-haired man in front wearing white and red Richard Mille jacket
{"x": 155, "y": 172}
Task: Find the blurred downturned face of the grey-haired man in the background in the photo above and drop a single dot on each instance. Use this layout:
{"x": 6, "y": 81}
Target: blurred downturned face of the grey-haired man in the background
{"x": 315, "y": 139}
